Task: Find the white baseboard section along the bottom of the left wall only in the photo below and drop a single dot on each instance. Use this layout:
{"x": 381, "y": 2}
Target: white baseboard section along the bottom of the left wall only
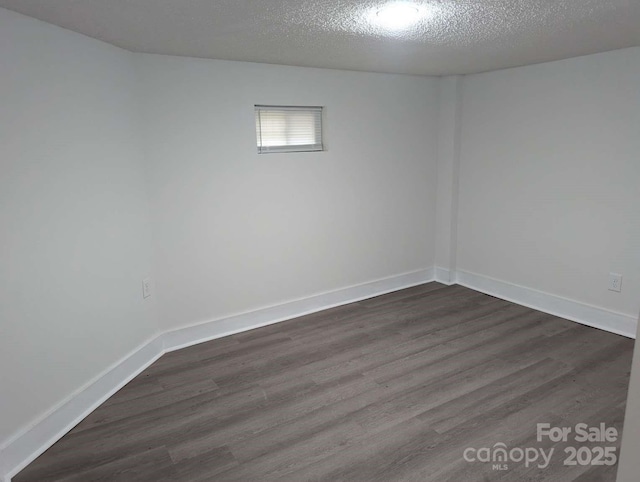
{"x": 23, "y": 448}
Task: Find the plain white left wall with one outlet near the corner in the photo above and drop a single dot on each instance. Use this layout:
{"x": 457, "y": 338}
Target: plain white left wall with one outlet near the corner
{"x": 73, "y": 216}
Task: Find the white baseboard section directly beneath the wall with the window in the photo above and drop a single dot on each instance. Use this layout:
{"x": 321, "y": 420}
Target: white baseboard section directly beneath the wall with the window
{"x": 183, "y": 337}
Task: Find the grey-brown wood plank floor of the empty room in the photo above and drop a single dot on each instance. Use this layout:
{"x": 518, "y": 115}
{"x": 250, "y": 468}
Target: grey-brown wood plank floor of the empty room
{"x": 389, "y": 389}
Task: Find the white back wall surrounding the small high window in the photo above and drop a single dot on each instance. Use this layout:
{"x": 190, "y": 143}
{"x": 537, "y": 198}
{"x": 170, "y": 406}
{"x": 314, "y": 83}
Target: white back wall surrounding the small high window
{"x": 237, "y": 231}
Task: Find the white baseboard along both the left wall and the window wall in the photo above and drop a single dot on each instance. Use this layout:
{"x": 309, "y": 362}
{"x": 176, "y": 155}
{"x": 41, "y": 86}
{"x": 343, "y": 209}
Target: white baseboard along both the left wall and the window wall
{"x": 22, "y": 449}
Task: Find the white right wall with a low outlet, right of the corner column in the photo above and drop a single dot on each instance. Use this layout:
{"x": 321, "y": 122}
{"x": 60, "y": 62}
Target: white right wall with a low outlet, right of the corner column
{"x": 549, "y": 169}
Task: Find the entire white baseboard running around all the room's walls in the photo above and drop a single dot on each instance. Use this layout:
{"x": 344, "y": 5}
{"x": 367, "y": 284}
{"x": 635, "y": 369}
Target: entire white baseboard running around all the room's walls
{"x": 22, "y": 449}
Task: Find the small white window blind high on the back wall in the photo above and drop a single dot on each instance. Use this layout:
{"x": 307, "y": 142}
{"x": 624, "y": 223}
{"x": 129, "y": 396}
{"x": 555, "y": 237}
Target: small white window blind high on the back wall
{"x": 288, "y": 129}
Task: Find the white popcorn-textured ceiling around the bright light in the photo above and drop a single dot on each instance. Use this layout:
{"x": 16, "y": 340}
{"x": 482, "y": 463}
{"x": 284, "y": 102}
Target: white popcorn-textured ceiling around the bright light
{"x": 456, "y": 37}
